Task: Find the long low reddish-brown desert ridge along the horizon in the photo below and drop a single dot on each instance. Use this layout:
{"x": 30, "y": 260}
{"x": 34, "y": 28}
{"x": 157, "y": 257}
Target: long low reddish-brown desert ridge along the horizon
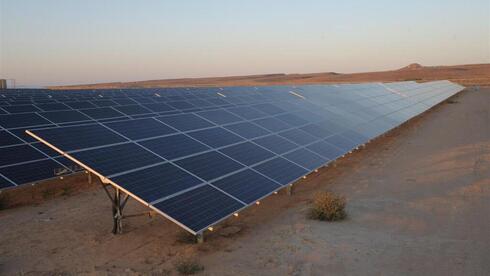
{"x": 473, "y": 74}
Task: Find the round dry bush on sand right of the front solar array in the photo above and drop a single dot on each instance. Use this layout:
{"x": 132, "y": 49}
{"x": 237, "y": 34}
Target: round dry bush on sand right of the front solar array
{"x": 328, "y": 206}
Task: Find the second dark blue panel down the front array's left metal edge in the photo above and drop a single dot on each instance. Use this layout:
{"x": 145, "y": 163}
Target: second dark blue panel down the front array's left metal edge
{"x": 116, "y": 159}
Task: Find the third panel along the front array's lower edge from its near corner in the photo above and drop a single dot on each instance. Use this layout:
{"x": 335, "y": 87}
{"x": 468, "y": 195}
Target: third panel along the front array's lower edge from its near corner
{"x": 281, "y": 170}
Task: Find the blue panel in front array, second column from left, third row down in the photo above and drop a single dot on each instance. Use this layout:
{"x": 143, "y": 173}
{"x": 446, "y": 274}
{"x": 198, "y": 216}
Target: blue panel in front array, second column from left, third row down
{"x": 209, "y": 165}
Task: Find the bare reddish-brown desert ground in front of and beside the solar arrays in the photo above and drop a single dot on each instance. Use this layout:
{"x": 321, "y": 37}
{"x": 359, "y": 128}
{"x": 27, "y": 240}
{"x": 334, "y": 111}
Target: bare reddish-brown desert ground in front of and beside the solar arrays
{"x": 418, "y": 204}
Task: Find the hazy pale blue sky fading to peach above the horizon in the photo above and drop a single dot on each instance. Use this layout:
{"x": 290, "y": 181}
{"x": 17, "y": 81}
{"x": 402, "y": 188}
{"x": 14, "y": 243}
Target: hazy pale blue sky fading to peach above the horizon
{"x": 67, "y": 42}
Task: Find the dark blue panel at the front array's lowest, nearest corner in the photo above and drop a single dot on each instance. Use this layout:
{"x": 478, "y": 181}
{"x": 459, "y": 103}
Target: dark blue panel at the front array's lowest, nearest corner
{"x": 199, "y": 208}
